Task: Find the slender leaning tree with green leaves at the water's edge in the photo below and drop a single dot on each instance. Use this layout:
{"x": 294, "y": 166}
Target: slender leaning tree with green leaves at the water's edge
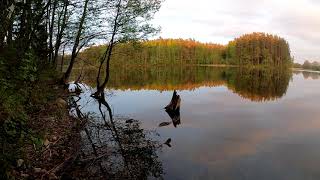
{"x": 128, "y": 20}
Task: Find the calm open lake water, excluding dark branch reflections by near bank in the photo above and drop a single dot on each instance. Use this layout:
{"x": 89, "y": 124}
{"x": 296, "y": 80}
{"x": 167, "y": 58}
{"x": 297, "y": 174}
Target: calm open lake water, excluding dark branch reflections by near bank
{"x": 235, "y": 123}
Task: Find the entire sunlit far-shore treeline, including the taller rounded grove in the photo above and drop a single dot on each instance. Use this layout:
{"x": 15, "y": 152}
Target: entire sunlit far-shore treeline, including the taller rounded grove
{"x": 249, "y": 49}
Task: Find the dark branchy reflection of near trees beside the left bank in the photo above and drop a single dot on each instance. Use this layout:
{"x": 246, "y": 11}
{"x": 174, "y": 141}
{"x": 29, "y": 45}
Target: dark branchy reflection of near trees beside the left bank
{"x": 117, "y": 149}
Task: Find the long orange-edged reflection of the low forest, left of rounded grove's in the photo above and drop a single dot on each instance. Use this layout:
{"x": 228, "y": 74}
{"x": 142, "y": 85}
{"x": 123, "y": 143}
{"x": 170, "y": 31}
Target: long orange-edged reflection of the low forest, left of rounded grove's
{"x": 160, "y": 78}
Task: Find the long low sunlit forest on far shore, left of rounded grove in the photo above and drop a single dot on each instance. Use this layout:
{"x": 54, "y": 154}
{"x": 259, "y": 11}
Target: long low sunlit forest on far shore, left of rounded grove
{"x": 159, "y": 52}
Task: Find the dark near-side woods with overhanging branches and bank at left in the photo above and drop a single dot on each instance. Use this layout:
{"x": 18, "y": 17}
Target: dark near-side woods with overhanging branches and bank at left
{"x": 34, "y": 35}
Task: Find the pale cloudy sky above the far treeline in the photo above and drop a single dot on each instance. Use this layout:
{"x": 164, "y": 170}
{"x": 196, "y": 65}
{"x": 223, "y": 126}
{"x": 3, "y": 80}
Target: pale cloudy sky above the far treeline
{"x": 219, "y": 21}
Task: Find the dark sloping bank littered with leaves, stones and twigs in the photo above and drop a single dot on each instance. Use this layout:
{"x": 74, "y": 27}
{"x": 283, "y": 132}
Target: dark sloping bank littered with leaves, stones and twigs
{"x": 54, "y": 135}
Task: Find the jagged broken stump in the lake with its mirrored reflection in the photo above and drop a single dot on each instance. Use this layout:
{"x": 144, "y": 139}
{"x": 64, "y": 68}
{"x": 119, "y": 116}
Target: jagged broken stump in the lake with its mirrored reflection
{"x": 173, "y": 109}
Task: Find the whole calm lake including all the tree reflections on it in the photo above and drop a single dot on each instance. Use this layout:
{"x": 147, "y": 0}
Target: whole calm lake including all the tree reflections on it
{"x": 233, "y": 123}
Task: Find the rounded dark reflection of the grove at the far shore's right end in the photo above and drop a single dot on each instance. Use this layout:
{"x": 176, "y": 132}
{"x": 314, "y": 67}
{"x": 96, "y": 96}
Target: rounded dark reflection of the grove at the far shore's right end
{"x": 259, "y": 84}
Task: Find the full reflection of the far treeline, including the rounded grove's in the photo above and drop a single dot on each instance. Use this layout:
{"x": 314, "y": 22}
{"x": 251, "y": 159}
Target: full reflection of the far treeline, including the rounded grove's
{"x": 255, "y": 84}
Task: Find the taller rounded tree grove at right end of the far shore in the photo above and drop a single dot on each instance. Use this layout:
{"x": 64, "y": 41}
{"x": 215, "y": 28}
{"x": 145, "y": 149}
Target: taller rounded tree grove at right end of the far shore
{"x": 259, "y": 49}
